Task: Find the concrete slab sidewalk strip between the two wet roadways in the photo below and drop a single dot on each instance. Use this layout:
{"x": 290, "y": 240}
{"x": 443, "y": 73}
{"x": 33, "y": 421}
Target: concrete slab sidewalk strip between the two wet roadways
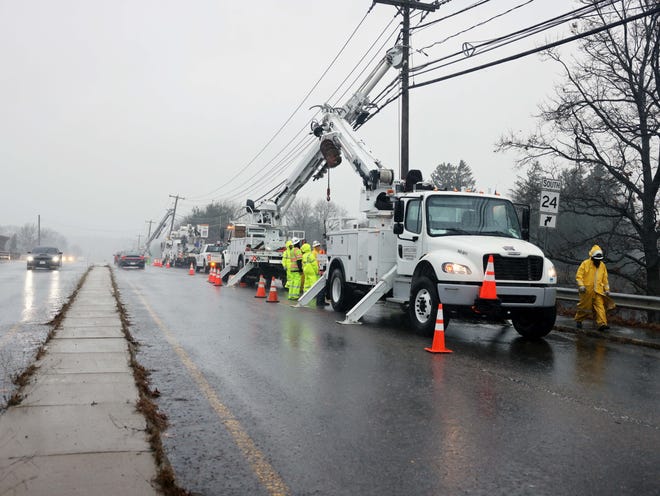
{"x": 77, "y": 431}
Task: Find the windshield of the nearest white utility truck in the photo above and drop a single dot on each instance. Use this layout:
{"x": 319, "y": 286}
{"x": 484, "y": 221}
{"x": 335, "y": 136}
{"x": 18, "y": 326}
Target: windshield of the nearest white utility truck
{"x": 456, "y": 214}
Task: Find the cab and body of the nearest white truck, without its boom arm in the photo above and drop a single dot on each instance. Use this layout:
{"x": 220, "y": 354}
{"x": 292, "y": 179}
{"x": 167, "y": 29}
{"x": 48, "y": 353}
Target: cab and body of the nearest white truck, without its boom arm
{"x": 433, "y": 247}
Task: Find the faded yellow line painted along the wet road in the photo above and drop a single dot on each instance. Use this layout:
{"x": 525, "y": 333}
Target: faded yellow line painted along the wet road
{"x": 266, "y": 474}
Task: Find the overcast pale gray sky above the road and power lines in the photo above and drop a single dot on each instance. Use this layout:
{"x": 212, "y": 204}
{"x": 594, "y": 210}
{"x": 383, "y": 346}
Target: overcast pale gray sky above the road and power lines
{"x": 108, "y": 107}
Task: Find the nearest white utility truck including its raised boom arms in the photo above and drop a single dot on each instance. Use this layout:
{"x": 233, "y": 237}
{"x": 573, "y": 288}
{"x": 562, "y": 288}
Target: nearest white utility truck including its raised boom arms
{"x": 422, "y": 247}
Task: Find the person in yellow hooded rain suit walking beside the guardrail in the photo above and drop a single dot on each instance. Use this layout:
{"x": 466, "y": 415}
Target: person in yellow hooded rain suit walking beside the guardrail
{"x": 594, "y": 289}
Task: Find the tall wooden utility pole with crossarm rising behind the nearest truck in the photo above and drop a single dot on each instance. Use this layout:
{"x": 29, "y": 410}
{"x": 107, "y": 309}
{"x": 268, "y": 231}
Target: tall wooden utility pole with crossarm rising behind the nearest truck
{"x": 404, "y": 7}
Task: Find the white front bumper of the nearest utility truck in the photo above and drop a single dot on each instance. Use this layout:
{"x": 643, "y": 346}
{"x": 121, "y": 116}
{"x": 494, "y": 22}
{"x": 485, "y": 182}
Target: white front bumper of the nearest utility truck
{"x": 510, "y": 296}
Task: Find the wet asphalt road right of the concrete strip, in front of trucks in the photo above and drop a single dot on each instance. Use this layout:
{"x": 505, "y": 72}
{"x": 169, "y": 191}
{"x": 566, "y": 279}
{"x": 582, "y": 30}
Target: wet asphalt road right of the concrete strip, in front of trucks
{"x": 267, "y": 399}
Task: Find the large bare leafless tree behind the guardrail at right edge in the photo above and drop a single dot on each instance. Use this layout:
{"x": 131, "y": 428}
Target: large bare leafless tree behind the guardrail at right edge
{"x": 604, "y": 124}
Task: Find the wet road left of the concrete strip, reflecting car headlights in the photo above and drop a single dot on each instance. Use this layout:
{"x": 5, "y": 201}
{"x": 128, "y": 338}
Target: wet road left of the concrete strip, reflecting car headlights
{"x": 29, "y": 299}
